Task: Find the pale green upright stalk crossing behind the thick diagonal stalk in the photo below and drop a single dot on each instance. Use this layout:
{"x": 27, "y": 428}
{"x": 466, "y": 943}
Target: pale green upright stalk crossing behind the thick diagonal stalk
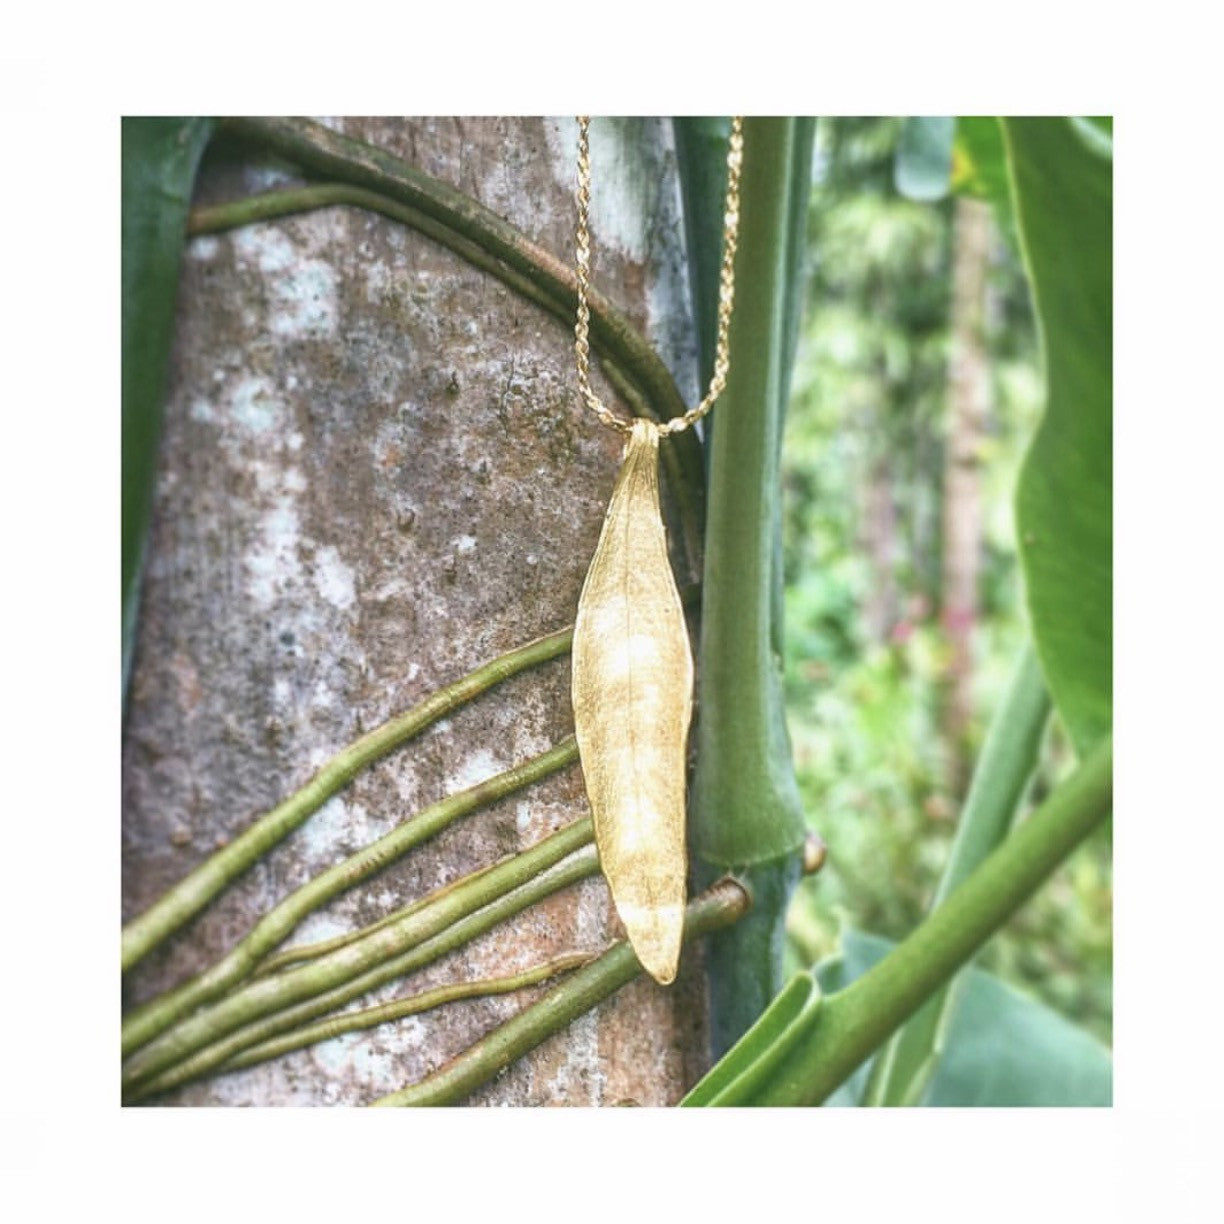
{"x": 904, "y": 1069}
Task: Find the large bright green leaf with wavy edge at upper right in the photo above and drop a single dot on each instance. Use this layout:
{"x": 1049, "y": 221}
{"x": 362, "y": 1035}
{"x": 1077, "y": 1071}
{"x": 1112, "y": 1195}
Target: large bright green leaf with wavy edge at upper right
{"x": 1062, "y": 174}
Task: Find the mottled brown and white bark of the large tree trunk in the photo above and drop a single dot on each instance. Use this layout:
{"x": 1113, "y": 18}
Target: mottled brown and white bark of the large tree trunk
{"x": 376, "y": 476}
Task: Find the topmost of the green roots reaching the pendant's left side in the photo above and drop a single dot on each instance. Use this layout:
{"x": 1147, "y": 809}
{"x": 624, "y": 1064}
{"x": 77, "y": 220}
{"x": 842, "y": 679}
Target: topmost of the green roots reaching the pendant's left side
{"x": 193, "y": 894}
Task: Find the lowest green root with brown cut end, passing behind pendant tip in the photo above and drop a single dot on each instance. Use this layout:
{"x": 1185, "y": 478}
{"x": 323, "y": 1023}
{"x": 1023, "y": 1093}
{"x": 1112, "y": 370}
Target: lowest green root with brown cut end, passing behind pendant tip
{"x": 723, "y": 904}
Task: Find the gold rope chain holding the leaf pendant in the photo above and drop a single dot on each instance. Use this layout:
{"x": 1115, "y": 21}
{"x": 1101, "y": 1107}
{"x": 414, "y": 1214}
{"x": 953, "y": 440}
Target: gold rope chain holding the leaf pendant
{"x": 726, "y": 285}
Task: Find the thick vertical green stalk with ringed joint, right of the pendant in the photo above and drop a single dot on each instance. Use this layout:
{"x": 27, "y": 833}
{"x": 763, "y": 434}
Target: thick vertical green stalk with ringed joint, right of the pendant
{"x": 746, "y": 812}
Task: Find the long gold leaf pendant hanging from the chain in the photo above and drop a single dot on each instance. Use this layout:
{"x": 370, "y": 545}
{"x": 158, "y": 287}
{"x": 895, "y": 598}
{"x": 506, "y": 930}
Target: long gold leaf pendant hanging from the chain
{"x": 633, "y": 700}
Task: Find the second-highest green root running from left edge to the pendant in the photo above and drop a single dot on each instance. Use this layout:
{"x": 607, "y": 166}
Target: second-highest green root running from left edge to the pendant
{"x": 276, "y": 926}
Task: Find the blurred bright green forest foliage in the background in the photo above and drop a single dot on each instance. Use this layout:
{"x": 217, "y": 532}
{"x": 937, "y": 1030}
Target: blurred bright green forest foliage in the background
{"x": 867, "y": 658}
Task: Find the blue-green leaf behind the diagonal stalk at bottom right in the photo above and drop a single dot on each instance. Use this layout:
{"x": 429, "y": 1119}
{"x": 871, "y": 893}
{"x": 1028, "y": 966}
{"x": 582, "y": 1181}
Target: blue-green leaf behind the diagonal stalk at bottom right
{"x": 1004, "y": 1048}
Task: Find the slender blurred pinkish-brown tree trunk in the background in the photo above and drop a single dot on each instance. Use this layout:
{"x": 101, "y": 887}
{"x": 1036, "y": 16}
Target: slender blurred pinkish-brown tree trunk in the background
{"x": 969, "y": 405}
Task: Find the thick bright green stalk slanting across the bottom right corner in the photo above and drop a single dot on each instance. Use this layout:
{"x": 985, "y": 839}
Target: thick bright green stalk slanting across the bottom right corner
{"x": 827, "y": 1043}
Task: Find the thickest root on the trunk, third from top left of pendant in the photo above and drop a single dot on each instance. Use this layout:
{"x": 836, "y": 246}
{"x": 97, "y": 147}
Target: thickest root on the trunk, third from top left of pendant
{"x": 266, "y": 996}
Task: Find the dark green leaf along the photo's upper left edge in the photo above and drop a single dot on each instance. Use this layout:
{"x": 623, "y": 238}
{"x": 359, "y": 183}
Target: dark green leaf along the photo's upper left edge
{"x": 160, "y": 160}
